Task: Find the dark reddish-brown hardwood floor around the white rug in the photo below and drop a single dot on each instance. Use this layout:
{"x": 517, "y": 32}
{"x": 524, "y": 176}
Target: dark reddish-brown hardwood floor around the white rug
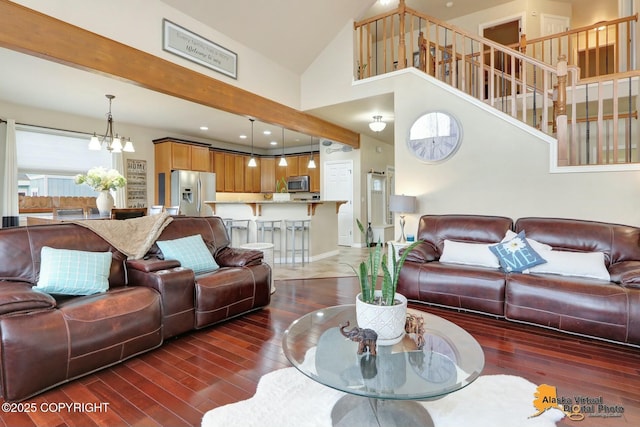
{"x": 177, "y": 383}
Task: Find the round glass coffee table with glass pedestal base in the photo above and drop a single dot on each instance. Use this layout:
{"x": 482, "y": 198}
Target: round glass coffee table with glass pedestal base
{"x": 383, "y": 390}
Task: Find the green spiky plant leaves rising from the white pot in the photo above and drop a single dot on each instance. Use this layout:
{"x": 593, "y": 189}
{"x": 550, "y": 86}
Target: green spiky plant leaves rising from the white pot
{"x": 368, "y": 272}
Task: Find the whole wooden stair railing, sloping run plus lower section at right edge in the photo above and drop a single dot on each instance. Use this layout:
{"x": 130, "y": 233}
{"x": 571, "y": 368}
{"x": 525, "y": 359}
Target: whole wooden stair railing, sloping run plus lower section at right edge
{"x": 537, "y": 93}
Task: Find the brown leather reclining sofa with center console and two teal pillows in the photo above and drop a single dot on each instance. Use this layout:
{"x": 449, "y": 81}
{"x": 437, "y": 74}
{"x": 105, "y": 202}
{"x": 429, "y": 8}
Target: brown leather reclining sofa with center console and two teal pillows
{"x": 48, "y": 340}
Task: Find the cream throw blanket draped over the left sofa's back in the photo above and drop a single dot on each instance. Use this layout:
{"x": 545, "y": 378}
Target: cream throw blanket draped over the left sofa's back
{"x": 133, "y": 237}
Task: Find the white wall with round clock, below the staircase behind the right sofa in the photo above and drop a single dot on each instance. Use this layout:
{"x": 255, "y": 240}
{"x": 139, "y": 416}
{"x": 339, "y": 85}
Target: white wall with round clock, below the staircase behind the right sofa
{"x": 499, "y": 169}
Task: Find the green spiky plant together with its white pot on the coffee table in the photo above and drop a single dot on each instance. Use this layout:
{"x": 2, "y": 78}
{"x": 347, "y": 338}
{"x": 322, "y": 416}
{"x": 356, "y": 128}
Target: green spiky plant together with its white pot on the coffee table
{"x": 383, "y": 310}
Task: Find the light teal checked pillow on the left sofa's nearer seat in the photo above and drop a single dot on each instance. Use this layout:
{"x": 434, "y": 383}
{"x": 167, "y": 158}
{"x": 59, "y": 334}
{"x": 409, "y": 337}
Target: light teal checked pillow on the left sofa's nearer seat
{"x": 71, "y": 272}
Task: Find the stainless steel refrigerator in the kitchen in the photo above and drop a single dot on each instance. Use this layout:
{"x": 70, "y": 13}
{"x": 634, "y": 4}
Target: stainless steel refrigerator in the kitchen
{"x": 190, "y": 190}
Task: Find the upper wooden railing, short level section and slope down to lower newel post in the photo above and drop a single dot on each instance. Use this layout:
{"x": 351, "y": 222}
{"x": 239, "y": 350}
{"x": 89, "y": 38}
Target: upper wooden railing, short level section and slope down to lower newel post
{"x": 505, "y": 78}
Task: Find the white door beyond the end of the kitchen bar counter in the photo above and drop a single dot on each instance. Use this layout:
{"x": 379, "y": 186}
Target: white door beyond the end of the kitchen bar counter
{"x": 338, "y": 185}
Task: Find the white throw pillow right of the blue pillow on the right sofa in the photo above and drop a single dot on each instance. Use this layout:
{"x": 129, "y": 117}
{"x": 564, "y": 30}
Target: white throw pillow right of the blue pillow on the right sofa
{"x": 581, "y": 264}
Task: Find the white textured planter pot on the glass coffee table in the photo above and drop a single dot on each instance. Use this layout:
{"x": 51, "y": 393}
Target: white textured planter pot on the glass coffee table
{"x": 387, "y": 321}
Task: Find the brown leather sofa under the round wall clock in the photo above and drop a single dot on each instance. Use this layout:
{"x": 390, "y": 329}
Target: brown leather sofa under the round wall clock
{"x": 597, "y": 308}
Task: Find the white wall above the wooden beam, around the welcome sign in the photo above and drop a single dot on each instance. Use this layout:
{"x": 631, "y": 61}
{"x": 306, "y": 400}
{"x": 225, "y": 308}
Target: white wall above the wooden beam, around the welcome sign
{"x": 139, "y": 24}
